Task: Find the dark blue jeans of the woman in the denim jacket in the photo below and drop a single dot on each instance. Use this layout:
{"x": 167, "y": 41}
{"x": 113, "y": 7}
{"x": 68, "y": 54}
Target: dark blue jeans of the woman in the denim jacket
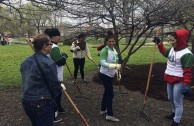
{"x": 40, "y": 113}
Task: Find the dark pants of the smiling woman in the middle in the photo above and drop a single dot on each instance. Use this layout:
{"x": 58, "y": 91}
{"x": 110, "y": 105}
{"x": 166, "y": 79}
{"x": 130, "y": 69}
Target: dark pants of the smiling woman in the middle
{"x": 106, "y": 103}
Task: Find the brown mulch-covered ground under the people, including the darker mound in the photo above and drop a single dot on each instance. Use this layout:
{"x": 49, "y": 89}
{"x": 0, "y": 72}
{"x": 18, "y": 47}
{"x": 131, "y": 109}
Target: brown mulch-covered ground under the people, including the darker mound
{"x": 128, "y": 103}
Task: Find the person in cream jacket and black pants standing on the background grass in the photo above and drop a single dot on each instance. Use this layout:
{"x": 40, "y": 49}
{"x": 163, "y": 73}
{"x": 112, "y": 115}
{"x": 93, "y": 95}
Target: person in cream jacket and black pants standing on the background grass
{"x": 80, "y": 49}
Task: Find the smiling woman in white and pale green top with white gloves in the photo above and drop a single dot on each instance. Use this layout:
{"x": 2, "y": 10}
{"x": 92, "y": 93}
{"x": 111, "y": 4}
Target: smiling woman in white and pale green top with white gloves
{"x": 109, "y": 66}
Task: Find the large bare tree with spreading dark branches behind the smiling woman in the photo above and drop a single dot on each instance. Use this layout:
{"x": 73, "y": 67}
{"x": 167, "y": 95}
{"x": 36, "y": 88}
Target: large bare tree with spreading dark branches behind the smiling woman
{"x": 129, "y": 19}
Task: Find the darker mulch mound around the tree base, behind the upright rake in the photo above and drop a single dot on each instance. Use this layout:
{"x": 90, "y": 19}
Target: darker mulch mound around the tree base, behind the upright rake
{"x": 135, "y": 78}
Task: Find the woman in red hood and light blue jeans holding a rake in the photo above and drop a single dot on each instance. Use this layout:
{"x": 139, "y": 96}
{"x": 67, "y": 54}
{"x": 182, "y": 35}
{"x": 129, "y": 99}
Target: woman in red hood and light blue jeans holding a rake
{"x": 178, "y": 73}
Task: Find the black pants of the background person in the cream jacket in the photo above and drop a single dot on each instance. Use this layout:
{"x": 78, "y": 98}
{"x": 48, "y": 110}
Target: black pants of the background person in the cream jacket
{"x": 79, "y": 63}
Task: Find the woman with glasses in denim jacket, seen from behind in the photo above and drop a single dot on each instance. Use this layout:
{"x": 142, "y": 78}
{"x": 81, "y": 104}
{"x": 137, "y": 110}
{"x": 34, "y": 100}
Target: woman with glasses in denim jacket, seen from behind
{"x": 39, "y": 88}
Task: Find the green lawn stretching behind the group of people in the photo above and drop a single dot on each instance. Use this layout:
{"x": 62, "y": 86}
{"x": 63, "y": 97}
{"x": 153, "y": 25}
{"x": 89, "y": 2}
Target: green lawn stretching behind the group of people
{"x": 12, "y": 56}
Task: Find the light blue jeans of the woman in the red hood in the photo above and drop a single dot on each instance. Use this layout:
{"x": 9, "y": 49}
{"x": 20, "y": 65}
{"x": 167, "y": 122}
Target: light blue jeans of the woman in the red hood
{"x": 175, "y": 98}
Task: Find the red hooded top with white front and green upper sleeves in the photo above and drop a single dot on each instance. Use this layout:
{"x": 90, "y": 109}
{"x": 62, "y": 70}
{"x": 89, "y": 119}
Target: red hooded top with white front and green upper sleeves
{"x": 180, "y": 60}
